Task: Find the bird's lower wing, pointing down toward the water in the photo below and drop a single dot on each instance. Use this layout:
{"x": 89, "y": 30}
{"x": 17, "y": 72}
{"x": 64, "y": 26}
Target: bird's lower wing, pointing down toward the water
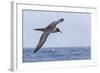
{"x": 41, "y": 41}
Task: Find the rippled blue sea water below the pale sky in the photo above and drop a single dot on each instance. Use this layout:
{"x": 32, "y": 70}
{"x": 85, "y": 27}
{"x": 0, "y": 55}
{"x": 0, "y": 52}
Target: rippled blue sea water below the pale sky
{"x": 56, "y": 54}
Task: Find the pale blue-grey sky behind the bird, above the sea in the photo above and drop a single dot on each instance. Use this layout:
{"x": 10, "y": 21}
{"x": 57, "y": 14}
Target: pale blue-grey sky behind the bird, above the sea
{"x": 76, "y": 28}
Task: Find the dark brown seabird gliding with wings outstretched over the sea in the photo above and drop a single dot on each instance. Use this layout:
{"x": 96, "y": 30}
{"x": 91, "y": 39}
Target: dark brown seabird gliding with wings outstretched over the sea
{"x": 51, "y": 28}
